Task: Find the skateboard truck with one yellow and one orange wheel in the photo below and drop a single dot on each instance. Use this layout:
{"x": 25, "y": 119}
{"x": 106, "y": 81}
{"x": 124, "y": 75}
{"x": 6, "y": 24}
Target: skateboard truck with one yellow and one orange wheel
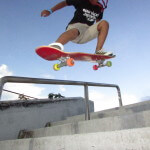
{"x": 65, "y": 61}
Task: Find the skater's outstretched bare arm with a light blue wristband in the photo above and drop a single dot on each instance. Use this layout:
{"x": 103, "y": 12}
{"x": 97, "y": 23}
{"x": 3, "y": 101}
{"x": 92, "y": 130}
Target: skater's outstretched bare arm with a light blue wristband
{"x": 60, "y": 5}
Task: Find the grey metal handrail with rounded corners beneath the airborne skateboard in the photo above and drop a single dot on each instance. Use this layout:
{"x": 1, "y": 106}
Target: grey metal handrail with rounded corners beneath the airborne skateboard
{"x": 16, "y": 79}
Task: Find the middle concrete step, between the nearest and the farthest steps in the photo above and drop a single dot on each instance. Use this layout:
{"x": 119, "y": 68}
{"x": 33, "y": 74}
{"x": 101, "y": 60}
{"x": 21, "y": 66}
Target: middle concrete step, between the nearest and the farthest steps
{"x": 136, "y": 120}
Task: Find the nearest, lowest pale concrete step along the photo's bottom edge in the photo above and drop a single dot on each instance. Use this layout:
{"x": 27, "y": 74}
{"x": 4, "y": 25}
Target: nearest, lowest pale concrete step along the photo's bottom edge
{"x": 131, "y": 139}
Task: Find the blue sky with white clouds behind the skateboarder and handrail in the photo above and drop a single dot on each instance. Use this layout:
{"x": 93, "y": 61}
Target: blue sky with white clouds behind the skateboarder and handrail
{"x": 22, "y": 30}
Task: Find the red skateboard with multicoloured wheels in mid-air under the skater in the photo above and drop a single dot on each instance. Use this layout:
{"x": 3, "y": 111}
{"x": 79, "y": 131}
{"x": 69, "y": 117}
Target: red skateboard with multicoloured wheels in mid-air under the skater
{"x": 69, "y": 58}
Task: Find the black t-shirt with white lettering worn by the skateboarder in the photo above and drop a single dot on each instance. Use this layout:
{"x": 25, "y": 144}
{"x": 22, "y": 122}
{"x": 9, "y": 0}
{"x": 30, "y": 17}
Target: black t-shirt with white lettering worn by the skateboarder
{"x": 85, "y": 12}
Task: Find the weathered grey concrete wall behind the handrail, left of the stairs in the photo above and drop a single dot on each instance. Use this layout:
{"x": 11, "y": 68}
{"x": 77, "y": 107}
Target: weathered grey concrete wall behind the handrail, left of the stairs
{"x": 19, "y": 115}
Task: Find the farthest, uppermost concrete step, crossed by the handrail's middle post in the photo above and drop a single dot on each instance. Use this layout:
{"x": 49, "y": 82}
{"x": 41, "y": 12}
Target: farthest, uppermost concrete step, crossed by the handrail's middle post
{"x": 118, "y": 111}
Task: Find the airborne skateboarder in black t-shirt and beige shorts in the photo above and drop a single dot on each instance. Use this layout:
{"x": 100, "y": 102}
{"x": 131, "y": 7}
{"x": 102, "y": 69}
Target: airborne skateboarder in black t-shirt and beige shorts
{"x": 82, "y": 28}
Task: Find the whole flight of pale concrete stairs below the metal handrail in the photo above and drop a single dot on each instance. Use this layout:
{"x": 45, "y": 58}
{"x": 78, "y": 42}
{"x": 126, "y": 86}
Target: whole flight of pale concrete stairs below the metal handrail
{"x": 125, "y": 128}
